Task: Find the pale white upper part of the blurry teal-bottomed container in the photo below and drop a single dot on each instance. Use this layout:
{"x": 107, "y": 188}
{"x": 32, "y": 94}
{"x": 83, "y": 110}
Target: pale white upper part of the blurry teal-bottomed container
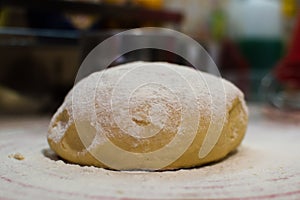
{"x": 255, "y": 18}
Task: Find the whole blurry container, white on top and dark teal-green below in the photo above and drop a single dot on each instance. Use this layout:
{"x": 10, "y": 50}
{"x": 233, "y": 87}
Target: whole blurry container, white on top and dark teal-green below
{"x": 256, "y": 26}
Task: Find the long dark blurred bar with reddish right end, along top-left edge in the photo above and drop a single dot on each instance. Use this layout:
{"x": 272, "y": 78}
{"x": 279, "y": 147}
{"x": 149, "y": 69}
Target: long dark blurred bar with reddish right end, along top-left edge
{"x": 105, "y": 10}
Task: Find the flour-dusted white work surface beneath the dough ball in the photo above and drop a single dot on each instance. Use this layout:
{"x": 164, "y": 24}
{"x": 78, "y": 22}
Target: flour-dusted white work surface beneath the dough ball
{"x": 266, "y": 166}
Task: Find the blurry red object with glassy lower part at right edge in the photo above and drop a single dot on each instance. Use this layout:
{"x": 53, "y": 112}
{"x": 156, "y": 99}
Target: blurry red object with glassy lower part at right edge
{"x": 282, "y": 86}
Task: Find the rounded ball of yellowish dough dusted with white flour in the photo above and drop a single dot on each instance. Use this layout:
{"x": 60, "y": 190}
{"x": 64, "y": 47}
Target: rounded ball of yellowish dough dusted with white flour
{"x": 149, "y": 116}
